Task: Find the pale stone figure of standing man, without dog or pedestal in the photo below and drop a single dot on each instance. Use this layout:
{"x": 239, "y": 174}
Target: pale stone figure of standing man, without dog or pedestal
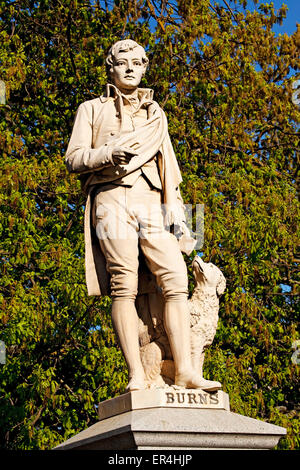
{"x": 121, "y": 149}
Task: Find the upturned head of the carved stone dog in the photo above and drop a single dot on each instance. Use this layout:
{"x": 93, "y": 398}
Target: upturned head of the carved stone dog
{"x": 208, "y": 276}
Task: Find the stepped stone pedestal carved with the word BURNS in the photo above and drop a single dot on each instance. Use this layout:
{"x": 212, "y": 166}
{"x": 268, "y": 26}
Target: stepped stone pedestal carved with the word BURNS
{"x": 173, "y": 419}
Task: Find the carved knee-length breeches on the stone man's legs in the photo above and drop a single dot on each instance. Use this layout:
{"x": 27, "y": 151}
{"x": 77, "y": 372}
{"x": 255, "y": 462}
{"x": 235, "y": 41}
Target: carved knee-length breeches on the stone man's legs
{"x": 129, "y": 218}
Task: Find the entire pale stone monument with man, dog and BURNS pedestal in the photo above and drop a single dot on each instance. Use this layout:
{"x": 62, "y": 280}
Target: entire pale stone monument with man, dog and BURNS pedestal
{"x": 135, "y": 233}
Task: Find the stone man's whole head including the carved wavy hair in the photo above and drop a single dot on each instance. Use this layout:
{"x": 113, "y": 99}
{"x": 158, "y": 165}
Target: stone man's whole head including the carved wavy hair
{"x": 126, "y": 64}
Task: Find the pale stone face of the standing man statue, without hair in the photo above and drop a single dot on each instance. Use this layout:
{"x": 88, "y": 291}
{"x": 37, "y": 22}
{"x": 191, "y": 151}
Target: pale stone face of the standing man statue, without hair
{"x": 128, "y": 69}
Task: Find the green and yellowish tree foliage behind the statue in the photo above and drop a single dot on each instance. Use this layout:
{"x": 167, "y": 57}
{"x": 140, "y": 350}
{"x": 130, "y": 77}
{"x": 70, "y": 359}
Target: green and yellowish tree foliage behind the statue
{"x": 225, "y": 82}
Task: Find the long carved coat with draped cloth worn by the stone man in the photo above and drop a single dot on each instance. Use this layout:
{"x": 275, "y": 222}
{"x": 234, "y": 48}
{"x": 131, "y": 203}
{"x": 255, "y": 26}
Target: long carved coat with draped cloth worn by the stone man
{"x": 89, "y": 154}
